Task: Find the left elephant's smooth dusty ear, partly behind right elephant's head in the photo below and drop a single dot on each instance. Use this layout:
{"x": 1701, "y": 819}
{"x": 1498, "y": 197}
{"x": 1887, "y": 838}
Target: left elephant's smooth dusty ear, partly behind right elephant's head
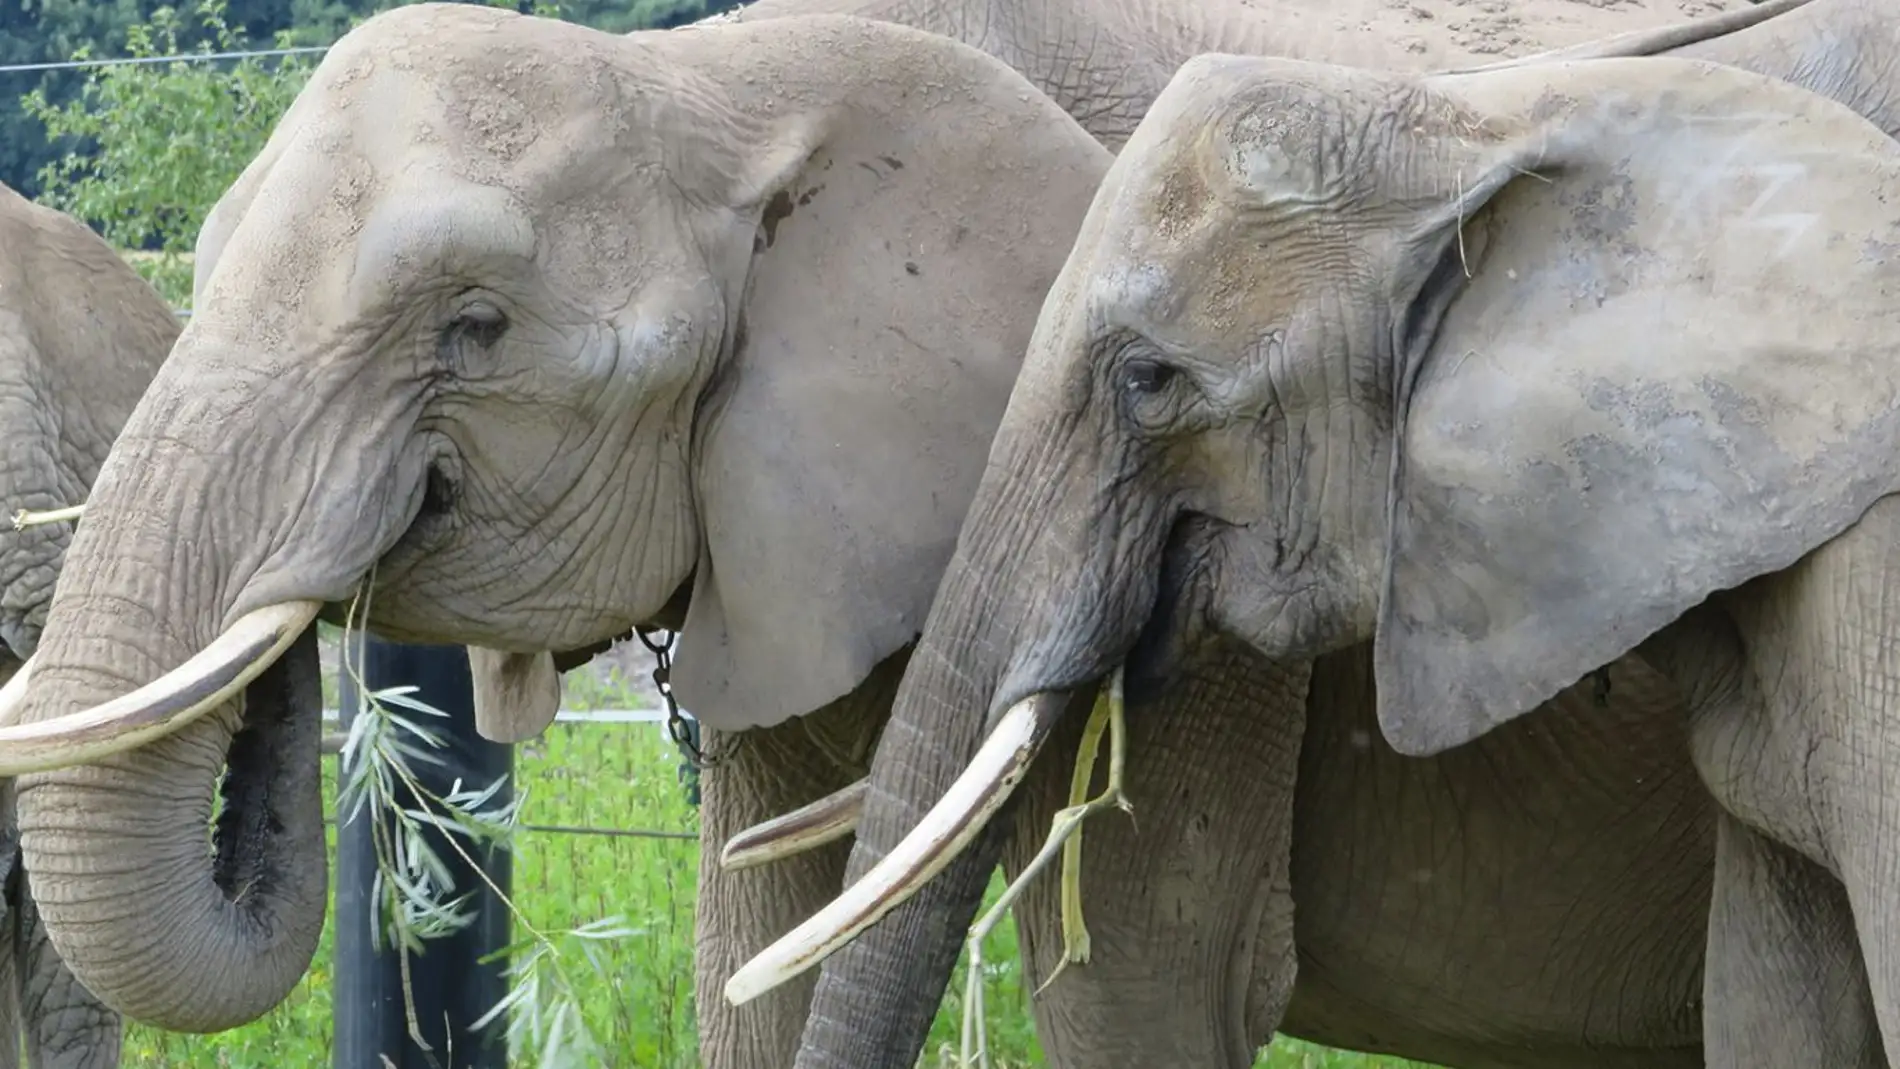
{"x": 907, "y": 227}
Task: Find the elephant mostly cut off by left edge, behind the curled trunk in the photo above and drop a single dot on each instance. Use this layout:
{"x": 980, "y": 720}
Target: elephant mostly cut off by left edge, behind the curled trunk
{"x": 81, "y": 335}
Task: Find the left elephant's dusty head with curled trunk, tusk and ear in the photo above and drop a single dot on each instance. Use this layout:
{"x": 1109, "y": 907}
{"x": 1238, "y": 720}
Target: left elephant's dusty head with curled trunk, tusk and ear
{"x": 518, "y": 333}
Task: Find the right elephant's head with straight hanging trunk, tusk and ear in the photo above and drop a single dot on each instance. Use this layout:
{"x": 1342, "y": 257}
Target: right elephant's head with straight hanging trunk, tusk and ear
{"x": 1500, "y": 371}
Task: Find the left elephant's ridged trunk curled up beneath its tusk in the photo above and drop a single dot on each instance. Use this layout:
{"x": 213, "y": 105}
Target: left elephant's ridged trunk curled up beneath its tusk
{"x": 147, "y": 918}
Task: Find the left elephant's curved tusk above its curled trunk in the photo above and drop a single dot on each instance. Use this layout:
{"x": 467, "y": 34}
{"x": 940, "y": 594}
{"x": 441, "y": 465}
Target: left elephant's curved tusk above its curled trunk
{"x": 181, "y": 696}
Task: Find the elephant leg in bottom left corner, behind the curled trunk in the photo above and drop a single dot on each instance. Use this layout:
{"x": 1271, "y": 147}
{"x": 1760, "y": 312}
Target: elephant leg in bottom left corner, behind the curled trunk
{"x": 67, "y": 1028}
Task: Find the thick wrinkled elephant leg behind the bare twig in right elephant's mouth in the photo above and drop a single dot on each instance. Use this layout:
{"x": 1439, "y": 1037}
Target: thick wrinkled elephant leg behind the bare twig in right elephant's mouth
{"x": 1188, "y": 903}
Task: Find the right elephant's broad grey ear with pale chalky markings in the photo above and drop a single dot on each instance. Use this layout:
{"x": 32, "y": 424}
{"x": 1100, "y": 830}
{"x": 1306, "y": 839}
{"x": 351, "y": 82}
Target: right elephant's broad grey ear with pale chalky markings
{"x": 1648, "y": 354}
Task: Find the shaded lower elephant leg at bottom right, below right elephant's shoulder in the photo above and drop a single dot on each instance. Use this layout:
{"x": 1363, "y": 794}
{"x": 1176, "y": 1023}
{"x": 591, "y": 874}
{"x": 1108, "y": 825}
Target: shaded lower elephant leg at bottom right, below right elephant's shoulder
{"x": 1785, "y": 985}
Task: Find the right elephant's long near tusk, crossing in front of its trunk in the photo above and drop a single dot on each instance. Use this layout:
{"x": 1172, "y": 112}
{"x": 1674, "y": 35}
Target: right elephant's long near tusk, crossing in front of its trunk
{"x": 934, "y": 844}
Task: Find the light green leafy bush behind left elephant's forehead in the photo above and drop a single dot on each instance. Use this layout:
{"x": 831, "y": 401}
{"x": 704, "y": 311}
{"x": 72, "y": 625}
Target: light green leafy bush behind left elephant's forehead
{"x": 155, "y": 145}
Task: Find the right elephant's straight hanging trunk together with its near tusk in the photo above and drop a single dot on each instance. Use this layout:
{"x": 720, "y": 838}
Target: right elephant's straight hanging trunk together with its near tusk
{"x": 1035, "y": 610}
